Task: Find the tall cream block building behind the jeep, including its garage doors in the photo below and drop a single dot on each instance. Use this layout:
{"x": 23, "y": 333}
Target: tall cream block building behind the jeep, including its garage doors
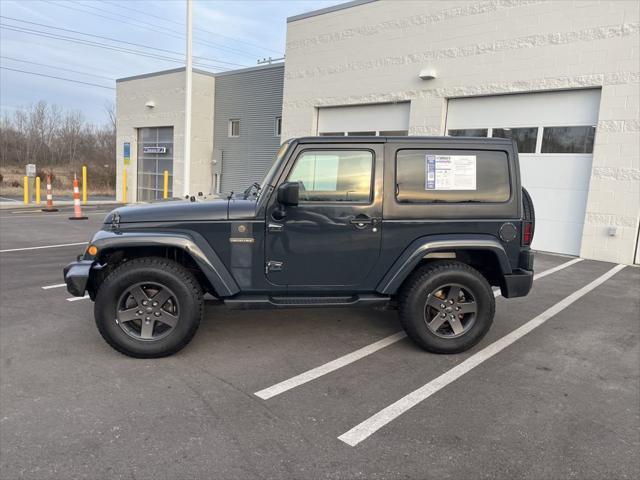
{"x": 561, "y": 76}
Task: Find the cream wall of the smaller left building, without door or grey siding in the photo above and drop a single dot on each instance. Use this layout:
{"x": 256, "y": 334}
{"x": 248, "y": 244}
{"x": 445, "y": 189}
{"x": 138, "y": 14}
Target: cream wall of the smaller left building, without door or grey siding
{"x": 166, "y": 90}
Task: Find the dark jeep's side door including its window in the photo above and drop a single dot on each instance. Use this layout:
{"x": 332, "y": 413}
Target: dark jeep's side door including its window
{"x": 332, "y": 238}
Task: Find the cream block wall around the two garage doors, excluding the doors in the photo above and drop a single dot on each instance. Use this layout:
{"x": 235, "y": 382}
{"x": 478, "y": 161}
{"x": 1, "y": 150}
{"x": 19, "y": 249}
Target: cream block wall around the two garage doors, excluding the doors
{"x": 372, "y": 53}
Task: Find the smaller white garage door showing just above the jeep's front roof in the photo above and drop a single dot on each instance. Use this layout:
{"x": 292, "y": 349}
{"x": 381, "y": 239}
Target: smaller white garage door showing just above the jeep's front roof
{"x": 390, "y": 119}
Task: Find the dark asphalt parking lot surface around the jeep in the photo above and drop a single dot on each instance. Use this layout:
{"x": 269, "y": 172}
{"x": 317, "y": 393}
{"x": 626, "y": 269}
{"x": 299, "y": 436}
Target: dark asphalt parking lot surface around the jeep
{"x": 552, "y": 392}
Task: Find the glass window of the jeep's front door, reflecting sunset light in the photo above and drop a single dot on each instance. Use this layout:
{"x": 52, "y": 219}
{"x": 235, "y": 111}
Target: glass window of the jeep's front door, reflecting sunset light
{"x": 334, "y": 176}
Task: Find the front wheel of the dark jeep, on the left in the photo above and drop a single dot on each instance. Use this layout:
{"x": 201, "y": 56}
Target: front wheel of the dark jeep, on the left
{"x": 152, "y": 274}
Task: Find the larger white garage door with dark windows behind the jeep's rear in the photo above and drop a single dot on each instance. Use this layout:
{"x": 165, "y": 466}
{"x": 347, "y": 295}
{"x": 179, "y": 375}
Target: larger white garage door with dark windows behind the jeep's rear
{"x": 555, "y": 133}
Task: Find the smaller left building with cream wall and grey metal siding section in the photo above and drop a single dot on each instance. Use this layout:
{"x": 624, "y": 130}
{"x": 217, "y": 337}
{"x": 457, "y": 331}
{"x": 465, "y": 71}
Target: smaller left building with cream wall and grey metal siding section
{"x": 153, "y": 103}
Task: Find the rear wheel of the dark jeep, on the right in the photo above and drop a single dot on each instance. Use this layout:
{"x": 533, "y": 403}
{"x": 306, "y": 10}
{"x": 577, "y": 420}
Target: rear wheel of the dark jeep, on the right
{"x": 429, "y": 285}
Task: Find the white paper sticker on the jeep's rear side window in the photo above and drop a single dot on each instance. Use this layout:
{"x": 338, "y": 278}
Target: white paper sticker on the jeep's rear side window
{"x": 450, "y": 172}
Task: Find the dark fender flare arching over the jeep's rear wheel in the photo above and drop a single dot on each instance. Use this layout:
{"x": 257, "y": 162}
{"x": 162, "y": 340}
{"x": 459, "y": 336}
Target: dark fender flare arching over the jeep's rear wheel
{"x": 420, "y": 247}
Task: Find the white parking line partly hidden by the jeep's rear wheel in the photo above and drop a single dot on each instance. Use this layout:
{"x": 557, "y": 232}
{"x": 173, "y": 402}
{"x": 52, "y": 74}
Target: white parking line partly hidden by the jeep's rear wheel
{"x": 345, "y": 360}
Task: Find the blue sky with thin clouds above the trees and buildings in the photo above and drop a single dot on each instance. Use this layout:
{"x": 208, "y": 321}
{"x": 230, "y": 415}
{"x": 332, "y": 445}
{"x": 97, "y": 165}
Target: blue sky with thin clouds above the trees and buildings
{"x": 96, "y": 42}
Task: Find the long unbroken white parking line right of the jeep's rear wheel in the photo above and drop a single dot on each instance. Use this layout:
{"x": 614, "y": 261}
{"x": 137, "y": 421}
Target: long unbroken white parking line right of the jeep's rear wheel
{"x": 363, "y": 430}
